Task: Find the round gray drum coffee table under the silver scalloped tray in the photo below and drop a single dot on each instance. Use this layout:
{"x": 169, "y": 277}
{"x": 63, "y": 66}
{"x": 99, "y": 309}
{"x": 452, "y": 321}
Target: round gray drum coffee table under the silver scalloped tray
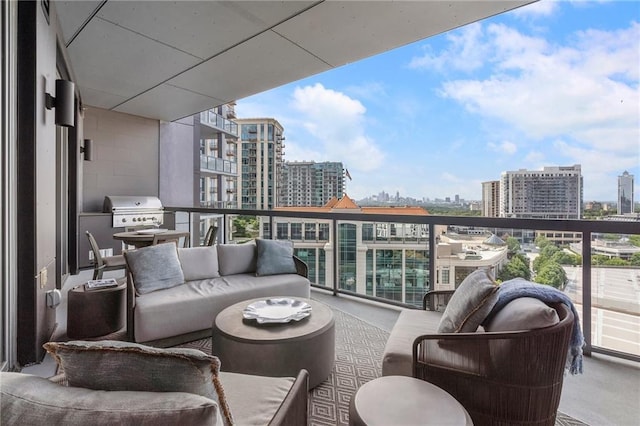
{"x": 276, "y": 350}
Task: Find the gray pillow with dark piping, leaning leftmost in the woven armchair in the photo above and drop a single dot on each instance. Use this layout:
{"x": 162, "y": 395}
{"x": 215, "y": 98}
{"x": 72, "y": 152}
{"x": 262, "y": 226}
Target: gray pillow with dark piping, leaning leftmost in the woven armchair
{"x": 470, "y": 304}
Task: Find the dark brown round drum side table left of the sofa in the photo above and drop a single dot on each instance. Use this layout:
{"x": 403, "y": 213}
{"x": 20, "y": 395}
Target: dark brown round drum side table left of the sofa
{"x": 96, "y": 312}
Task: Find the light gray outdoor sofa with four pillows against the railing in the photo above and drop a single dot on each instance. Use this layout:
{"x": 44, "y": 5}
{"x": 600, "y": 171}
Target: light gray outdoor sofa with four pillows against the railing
{"x": 174, "y": 294}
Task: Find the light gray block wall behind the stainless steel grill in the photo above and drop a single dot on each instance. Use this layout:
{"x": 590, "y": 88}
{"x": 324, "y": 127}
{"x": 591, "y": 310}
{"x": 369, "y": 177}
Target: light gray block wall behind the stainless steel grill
{"x": 126, "y": 157}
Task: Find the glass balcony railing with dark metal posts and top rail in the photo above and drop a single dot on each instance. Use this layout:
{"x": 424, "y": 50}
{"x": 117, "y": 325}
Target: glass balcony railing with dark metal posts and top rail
{"x": 395, "y": 259}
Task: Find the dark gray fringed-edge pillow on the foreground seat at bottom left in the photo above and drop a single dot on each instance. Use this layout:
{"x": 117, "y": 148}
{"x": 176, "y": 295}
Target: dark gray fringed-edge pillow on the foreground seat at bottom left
{"x": 123, "y": 366}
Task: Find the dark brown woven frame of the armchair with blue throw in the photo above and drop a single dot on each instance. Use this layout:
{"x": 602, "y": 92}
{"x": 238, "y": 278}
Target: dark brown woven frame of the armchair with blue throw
{"x": 505, "y": 378}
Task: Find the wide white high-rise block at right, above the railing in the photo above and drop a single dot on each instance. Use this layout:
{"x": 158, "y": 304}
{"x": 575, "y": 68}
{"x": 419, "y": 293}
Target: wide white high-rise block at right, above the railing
{"x": 550, "y": 193}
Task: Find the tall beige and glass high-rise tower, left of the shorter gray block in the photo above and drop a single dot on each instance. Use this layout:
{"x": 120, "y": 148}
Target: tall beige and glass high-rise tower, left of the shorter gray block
{"x": 261, "y": 160}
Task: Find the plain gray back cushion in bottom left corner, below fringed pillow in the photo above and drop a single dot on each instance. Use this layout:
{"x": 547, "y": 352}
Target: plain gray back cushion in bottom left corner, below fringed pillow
{"x": 31, "y": 400}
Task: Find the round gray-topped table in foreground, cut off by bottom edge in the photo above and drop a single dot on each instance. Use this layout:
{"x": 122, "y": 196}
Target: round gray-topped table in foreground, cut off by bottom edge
{"x": 400, "y": 400}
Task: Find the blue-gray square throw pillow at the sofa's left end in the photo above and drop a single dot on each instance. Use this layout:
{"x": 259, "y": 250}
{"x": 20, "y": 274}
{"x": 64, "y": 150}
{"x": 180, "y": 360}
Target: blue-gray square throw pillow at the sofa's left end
{"x": 155, "y": 267}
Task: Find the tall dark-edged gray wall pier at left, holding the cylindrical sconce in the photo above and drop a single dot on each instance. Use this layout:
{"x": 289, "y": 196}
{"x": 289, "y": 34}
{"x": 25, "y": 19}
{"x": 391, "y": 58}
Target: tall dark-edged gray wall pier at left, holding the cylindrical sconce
{"x": 36, "y": 181}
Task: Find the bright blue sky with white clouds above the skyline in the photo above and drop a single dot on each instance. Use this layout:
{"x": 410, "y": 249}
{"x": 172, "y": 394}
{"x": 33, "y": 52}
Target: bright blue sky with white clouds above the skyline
{"x": 555, "y": 83}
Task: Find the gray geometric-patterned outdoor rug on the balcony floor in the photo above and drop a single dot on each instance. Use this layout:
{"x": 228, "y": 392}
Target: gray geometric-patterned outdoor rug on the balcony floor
{"x": 359, "y": 348}
